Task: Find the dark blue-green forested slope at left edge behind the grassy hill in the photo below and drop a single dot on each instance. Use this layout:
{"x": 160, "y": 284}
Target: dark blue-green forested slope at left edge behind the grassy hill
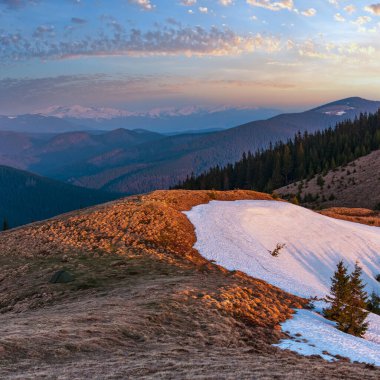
{"x": 26, "y": 197}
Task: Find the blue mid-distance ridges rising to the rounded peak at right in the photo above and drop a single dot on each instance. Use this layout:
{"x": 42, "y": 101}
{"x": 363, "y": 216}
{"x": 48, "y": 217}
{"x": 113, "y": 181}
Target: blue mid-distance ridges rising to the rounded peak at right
{"x": 125, "y": 161}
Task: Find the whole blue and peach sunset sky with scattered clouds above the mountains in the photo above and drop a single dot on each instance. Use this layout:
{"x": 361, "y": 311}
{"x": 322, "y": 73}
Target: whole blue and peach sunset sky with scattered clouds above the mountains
{"x": 140, "y": 55}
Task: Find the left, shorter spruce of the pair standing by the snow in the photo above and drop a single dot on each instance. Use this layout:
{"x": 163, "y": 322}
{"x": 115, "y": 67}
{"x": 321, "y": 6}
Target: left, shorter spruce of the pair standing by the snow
{"x": 339, "y": 293}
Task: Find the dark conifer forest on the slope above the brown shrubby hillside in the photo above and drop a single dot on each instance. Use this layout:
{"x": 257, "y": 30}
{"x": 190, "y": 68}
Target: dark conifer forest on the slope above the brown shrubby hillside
{"x": 300, "y": 158}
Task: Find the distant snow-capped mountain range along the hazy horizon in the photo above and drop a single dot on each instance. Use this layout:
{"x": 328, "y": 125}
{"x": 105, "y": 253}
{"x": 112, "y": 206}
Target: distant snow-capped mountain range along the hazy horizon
{"x": 58, "y": 119}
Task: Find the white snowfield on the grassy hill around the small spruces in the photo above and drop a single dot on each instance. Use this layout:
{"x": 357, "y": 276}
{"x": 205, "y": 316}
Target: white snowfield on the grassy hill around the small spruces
{"x": 239, "y": 235}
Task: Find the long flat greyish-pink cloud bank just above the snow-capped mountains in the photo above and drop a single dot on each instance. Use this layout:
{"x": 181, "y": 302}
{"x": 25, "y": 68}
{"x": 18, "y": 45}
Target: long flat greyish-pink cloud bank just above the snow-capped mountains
{"x": 89, "y": 90}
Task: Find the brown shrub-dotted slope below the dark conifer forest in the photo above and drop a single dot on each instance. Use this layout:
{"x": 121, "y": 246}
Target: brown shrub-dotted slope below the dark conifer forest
{"x": 356, "y": 184}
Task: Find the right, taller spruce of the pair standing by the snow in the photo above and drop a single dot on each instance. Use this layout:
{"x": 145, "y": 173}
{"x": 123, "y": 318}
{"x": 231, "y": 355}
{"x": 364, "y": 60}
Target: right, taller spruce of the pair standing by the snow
{"x": 355, "y": 313}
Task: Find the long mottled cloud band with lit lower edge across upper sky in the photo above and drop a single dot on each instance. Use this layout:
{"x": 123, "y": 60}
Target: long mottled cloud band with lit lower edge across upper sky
{"x": 166, "y": 40}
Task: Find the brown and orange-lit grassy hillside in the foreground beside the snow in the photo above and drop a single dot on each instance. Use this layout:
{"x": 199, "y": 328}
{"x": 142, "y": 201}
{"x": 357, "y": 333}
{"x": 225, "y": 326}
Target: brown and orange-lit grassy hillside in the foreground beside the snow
{"x": 143, "y": 302}
